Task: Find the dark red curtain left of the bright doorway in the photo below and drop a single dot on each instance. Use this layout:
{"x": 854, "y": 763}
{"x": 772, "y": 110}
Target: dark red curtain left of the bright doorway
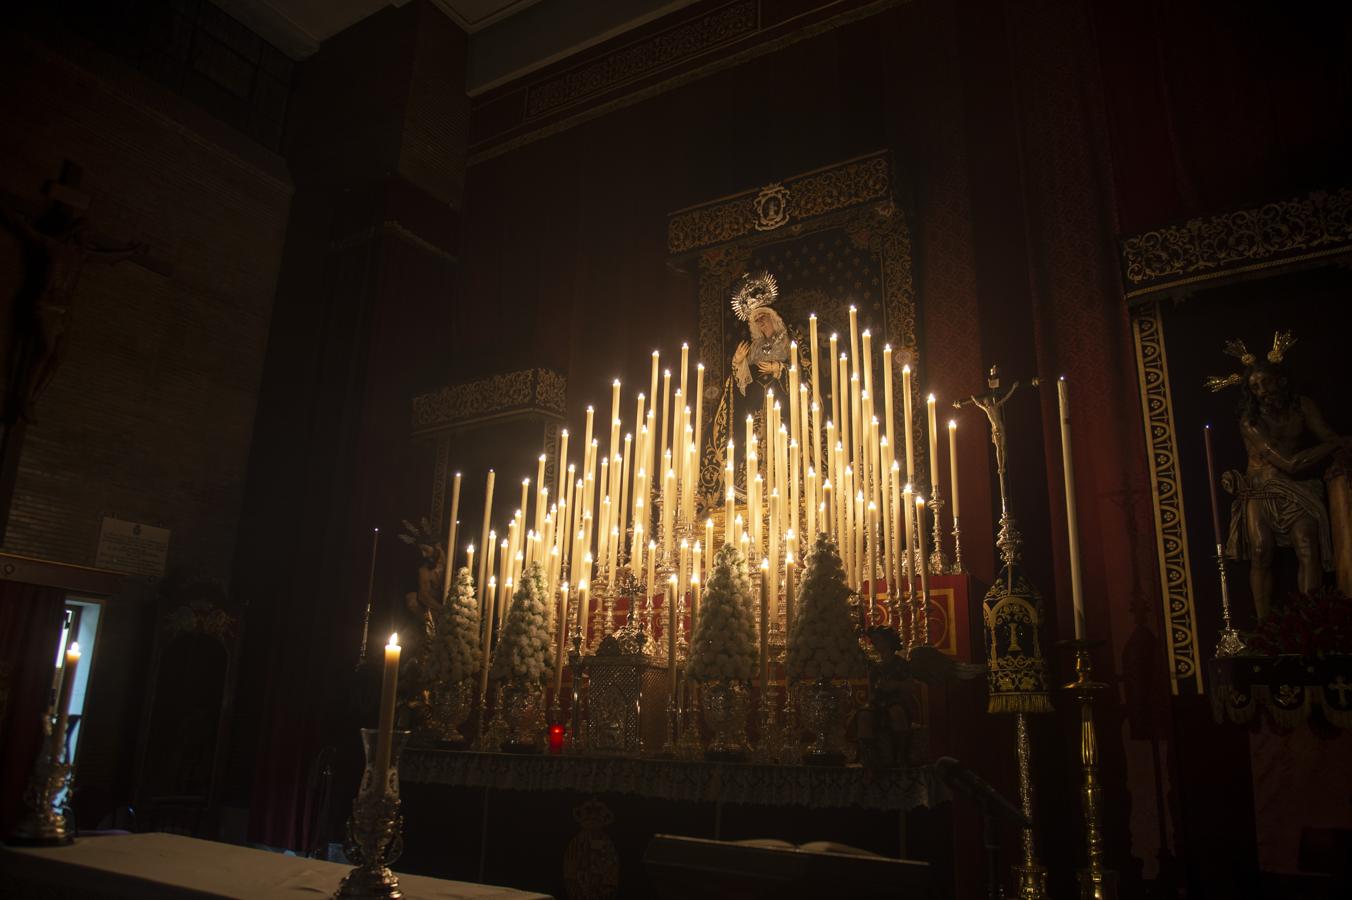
{"x": 30, "y": 628}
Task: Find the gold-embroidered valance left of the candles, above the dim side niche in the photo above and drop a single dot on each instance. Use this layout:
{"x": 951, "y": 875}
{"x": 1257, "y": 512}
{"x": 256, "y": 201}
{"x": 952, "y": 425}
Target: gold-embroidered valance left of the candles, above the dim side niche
{"x": 540, "y": 391}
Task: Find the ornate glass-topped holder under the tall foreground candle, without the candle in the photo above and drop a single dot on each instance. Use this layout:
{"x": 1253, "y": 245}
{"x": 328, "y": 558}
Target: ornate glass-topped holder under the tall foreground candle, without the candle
{"x": 375, "y": 828}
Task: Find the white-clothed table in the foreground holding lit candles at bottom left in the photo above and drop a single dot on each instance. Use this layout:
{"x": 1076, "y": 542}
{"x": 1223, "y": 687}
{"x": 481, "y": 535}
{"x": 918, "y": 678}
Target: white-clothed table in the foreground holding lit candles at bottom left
{"x": 163, "y": 867}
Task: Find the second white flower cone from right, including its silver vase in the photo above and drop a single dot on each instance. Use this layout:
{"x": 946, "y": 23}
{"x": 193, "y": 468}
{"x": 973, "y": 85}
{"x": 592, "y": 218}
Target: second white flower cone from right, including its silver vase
{"x": 723, "y": 653}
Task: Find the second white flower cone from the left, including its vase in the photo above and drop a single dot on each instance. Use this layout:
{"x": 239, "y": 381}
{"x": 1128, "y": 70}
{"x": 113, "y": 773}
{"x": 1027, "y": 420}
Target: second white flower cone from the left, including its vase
{"x": 524, "y": 659}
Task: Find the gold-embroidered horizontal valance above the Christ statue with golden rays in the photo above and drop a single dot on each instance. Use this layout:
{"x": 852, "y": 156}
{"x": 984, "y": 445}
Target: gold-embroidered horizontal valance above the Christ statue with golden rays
{"x": 1276, "y": 234}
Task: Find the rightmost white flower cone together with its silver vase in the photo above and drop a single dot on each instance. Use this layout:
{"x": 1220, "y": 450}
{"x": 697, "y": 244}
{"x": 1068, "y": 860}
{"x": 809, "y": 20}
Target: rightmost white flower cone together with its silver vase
{"x": 823, "y": 649}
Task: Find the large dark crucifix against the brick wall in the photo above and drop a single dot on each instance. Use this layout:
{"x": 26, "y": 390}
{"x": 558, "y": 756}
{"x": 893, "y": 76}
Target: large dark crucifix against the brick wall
{"x": 56, "y": 244}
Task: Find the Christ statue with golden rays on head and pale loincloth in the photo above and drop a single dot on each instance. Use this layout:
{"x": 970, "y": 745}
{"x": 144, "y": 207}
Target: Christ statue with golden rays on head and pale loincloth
{"x": 1280, "y": 498}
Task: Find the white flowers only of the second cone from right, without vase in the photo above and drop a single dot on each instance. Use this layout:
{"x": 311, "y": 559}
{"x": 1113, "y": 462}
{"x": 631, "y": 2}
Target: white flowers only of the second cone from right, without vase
{"x": 725, "y": 643}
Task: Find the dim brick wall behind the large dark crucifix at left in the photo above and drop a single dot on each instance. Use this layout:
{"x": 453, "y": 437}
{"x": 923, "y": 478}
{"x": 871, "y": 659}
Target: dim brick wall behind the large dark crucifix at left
{"x": 151, "y": 416}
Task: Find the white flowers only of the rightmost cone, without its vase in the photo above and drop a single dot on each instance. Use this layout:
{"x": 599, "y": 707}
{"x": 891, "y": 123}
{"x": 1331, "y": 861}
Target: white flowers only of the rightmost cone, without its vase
{"x": 825, "y": 643}
